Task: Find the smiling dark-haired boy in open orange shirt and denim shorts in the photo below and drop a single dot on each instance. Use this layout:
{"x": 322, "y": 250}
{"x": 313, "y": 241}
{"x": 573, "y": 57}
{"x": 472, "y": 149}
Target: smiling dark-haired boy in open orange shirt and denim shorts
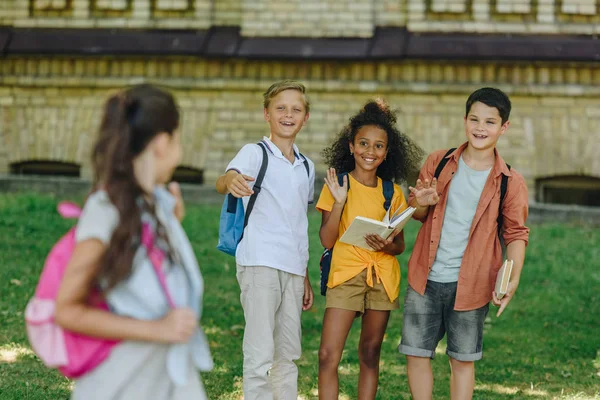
{"x": 458, "y": 253}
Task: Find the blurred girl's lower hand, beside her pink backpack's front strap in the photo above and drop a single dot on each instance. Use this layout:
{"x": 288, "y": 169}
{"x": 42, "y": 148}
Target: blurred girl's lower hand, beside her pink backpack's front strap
{"x": 177, "y": 326}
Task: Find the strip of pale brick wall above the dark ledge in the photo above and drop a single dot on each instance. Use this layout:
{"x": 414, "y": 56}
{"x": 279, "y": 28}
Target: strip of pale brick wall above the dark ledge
{"x": 329, "y": 18}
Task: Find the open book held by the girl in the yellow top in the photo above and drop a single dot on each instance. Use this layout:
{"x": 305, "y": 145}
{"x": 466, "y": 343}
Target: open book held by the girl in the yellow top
{"x": 362, "y": 226}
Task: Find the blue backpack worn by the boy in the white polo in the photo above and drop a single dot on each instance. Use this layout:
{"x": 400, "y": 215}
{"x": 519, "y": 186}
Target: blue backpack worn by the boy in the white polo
{"x": 233, "y": 219}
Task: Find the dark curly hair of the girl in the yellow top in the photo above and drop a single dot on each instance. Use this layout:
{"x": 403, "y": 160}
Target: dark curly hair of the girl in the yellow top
{"x": 403, "y": 156}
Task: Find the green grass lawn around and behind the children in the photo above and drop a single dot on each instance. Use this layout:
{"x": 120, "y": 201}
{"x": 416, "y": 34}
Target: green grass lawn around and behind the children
{"x": 545, "y": 345}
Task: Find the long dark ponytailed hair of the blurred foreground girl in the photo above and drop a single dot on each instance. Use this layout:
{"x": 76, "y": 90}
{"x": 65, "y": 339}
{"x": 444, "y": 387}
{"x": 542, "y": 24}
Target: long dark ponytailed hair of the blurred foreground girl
{"x": 132, "y": 118}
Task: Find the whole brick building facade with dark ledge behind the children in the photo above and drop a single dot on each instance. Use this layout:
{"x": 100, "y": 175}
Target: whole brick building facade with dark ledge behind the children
{"x": 60, "y": 59}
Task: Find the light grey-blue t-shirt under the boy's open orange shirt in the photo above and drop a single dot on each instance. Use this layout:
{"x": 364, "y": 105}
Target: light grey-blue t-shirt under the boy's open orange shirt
{"x": 463, "y": 197}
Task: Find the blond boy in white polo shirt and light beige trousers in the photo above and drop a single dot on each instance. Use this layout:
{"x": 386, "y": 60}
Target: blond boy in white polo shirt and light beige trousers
{"x": 272, "y": 256}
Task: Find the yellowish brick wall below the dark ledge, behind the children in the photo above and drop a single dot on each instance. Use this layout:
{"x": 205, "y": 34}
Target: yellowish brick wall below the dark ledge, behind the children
{"x": 50, "y": 108}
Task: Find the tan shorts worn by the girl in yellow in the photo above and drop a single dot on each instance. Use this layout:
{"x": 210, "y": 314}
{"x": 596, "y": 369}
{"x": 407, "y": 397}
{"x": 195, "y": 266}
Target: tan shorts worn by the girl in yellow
{"x": 356, "y": 295}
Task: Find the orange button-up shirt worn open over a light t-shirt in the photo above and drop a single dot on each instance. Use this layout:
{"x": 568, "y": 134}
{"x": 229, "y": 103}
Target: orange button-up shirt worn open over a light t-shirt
{"x": 483, "y": 255}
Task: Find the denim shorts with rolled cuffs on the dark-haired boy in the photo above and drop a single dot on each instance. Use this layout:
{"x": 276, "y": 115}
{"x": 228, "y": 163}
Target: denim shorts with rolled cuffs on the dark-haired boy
{"x": 429, "y": 317}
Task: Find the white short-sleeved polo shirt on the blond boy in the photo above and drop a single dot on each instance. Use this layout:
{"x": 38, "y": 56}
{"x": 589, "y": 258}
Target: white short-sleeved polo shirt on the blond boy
{"x": 277, "y": 231}
